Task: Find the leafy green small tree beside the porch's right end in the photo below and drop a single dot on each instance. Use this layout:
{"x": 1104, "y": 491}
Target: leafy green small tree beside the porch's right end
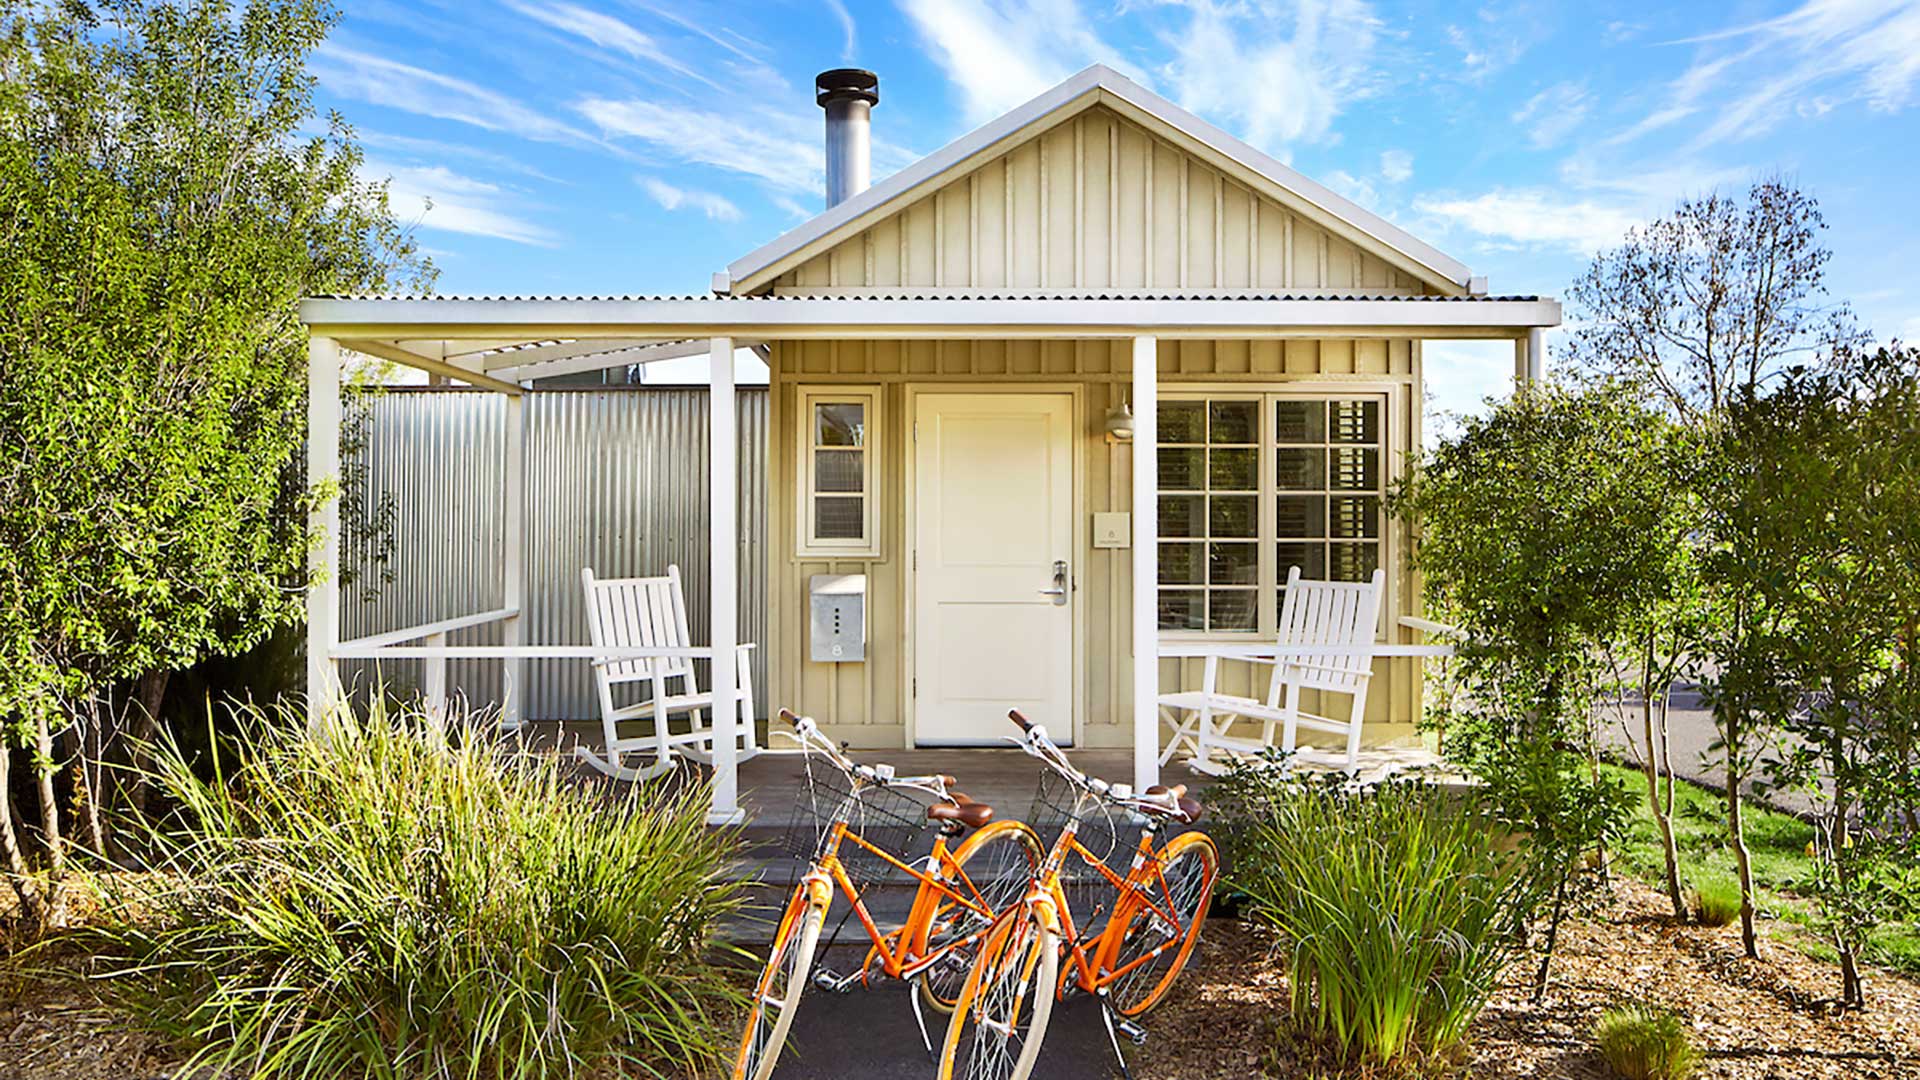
{"x": 1545, "y": 529}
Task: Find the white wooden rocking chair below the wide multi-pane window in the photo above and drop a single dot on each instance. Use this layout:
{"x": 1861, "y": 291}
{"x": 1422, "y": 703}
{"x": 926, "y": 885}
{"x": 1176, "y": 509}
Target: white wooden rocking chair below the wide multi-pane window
{"x": 1339, "y": 622}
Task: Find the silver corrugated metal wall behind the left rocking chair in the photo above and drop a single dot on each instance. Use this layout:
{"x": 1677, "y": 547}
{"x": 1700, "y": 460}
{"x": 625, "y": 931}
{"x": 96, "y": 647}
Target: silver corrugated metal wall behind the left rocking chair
{"x": 615, "y": 481}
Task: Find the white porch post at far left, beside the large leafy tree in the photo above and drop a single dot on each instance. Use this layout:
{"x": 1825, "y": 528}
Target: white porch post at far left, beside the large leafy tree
{"x": 324, "y": 466}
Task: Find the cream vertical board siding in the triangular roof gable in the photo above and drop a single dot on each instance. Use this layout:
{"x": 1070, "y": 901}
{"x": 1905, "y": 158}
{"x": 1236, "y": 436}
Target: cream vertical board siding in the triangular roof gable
{"x": 1097, "y": 203}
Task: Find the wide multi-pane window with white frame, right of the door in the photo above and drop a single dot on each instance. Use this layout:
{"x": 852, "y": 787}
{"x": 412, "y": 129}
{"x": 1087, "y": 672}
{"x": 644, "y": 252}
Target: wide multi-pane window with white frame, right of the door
{"x": 1257, "y": 483}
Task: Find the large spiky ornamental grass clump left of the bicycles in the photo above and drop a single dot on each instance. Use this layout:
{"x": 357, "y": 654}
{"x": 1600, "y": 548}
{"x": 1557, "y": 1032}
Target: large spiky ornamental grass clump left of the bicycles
{"x": 383, "y": 902}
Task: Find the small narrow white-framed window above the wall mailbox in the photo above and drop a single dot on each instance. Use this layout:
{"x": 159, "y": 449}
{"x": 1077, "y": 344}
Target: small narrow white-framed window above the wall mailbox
{"x": 838, "y": 456}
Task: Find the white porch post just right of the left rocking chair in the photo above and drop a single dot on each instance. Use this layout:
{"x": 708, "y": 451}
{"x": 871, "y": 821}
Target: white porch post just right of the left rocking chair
{"x": 723, "y": 581}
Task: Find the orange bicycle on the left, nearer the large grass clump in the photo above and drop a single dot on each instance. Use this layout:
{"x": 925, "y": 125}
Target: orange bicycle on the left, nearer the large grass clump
{"x": 857, "y": 827}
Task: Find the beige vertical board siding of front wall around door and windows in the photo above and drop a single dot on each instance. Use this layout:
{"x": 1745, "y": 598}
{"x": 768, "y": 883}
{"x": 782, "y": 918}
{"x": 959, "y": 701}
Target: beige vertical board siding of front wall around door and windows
{"x": 869, "y": 702}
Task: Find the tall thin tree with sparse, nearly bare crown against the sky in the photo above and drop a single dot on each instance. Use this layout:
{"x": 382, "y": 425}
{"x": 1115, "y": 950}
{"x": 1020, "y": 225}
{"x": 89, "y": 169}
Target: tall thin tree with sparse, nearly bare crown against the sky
{"x": 1698, "y": 310}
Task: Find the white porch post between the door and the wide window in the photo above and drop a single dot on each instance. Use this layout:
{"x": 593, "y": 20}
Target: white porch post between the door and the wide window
{"x": 1145, "y": 566}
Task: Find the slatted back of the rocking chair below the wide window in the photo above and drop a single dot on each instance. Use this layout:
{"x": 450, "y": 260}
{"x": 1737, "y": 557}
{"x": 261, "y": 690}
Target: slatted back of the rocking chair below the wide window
{"x": 1337, "y": 614}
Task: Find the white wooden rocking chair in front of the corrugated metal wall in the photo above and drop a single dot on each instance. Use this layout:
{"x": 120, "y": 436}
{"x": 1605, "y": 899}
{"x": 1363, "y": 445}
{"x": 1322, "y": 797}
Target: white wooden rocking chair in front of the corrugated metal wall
{"x": 638, "y": 614}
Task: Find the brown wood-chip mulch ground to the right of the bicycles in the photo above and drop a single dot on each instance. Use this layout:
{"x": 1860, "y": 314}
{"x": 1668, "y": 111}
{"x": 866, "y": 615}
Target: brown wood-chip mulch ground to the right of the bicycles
{"x": 1769, "y": 1019}
